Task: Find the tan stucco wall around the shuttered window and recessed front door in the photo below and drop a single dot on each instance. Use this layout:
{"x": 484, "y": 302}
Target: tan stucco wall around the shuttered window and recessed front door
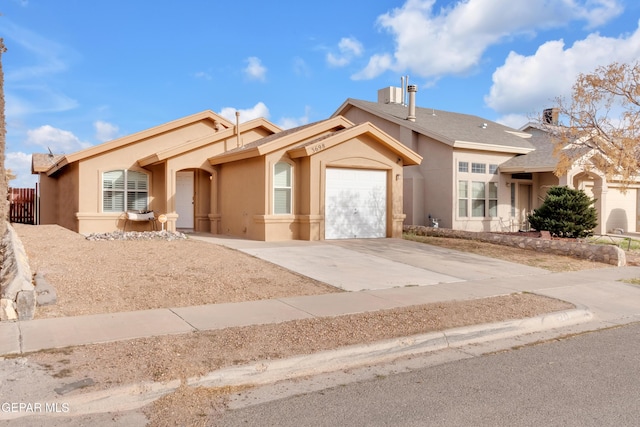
{"x": 72, "y": 197}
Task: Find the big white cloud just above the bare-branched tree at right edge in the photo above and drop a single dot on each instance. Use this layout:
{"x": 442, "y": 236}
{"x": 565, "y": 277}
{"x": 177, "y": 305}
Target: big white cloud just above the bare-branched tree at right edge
{"x": 526, "y": 83}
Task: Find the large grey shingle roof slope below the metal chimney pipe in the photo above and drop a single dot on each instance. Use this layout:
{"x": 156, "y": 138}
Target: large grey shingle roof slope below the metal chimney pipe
{"x": 446, "y": 126}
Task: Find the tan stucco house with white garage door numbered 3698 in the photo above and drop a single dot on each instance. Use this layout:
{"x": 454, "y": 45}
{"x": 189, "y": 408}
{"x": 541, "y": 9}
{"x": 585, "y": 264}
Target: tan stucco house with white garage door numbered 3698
{"x": 330, "y": 179}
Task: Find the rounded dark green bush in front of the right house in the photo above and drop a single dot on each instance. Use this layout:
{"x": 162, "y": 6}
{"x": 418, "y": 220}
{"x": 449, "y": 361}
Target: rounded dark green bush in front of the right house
{"x": 565, "y": 212}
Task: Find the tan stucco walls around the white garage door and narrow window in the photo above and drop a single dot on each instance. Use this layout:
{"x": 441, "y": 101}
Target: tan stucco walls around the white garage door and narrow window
{"x": 246, "y": 191}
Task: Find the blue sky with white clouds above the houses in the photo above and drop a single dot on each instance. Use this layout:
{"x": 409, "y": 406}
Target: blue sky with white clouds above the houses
{"x": 79, "y": 73}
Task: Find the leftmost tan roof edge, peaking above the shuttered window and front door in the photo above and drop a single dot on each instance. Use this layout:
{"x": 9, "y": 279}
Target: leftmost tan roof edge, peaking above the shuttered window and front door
{"x": 119, "y": 142}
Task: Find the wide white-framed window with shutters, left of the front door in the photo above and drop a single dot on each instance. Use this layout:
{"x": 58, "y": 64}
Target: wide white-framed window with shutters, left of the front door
{"x": 124, "y": 190}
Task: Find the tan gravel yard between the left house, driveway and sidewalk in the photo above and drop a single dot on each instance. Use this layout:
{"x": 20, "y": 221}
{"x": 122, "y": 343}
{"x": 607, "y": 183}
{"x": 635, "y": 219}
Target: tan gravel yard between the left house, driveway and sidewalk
{"x": 107, "y": 276}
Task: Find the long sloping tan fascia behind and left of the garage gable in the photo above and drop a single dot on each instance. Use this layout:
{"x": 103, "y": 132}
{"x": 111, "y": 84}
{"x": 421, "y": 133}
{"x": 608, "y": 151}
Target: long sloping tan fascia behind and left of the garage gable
{"x": 289, "y": 139}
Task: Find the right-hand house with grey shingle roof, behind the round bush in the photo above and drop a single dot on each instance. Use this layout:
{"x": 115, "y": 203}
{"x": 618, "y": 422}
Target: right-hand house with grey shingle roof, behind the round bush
{"x": 479, "y": 175}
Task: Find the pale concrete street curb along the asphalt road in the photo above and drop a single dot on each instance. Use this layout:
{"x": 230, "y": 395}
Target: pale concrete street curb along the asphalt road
{"x": 135, "y": 396}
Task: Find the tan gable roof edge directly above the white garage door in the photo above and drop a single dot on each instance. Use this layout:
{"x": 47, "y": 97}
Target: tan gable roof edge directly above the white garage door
{"x": 408, "y": 156}
